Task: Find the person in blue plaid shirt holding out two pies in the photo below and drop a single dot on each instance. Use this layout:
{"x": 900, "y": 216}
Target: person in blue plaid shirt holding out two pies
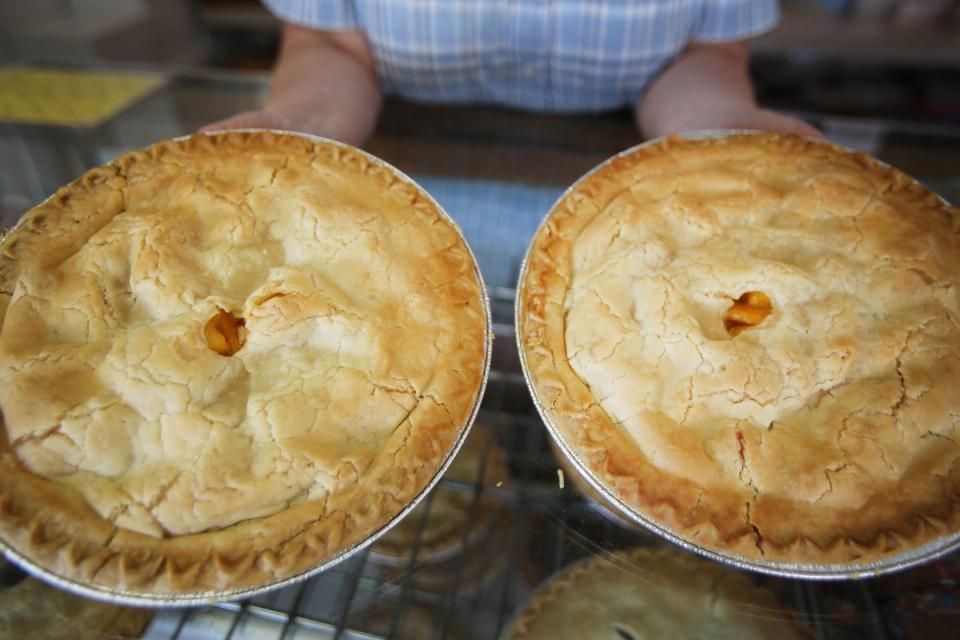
{"x": 681, "y": 65}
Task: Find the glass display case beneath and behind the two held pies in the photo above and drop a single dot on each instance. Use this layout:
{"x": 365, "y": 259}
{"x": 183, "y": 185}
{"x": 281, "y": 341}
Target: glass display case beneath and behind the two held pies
{"x": 503, "y": 520}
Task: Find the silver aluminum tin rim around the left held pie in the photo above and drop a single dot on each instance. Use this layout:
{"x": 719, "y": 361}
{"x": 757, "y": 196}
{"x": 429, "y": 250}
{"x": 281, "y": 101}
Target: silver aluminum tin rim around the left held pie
{"x": 193, "y": 598}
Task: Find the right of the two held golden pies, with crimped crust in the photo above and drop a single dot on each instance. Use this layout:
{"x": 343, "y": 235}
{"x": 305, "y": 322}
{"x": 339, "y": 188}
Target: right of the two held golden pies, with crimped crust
{"x": 753, "y": 344}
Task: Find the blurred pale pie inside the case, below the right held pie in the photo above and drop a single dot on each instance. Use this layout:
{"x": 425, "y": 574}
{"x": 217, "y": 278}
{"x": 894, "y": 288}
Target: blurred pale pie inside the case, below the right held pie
{"x": 652, "y": 593}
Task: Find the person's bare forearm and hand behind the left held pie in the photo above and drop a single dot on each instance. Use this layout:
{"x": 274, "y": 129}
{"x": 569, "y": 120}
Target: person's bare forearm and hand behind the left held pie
{"x": 325, "y": 84}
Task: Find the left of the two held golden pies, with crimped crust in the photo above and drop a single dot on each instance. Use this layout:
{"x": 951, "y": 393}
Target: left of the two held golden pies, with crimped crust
{"x": 226, "y": 359}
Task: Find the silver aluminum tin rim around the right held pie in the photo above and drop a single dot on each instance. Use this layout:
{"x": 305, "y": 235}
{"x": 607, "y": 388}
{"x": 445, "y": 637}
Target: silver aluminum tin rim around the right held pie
{"x": 810, "y": 571}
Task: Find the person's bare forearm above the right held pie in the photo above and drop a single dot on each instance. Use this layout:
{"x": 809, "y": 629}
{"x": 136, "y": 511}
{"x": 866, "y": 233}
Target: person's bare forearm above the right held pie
{"x": 704, "y": 79}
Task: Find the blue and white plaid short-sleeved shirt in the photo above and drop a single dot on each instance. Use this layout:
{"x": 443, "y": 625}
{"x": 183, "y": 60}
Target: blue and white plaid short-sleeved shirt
{"x": 553, "y": 55}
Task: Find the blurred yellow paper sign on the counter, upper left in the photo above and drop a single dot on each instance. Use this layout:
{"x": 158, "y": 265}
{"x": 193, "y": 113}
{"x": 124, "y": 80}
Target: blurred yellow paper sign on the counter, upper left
{"x": 68, "y": 97}
